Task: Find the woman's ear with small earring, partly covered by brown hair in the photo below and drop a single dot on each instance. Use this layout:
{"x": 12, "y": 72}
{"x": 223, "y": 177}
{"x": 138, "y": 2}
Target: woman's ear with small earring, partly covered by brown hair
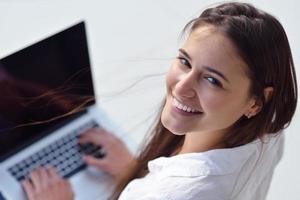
{"x": 256, "y": 104}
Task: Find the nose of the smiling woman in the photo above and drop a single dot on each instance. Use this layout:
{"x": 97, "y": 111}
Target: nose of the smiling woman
{"x": 185, "y": 87}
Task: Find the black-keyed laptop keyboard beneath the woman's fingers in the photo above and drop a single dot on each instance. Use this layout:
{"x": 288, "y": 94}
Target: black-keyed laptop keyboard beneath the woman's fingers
{"x": 64, "y": 154}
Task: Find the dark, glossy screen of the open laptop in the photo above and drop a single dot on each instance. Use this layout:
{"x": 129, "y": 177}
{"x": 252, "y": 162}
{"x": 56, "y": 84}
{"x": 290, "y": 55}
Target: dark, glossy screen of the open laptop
{"x": 43, "y": 87}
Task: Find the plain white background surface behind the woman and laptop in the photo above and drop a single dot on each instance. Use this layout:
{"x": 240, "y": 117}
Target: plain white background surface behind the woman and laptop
{"x": 131, "y": 39}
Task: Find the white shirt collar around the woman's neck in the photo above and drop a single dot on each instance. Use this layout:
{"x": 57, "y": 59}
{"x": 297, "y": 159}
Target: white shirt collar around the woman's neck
{"x": 212, "y": 162}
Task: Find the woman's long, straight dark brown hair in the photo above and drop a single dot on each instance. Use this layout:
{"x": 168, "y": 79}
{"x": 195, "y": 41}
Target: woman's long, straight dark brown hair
{"x": 263, "y": 45}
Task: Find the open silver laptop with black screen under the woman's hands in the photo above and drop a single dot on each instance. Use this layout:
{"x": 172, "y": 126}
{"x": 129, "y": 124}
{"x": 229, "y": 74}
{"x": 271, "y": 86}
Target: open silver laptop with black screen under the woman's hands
{"x": 47, "y": 100}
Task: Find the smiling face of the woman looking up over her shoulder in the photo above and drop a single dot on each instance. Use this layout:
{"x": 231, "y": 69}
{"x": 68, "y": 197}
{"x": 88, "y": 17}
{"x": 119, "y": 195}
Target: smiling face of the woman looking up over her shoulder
{"x": 207, "y": 85}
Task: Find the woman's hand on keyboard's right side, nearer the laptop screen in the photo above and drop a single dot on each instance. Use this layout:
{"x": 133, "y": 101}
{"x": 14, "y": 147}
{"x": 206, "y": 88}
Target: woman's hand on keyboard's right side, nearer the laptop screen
{"x": 117, "y": 159}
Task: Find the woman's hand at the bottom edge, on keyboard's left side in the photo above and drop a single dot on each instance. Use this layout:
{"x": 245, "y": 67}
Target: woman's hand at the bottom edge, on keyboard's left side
{"x": 46, "y": 184}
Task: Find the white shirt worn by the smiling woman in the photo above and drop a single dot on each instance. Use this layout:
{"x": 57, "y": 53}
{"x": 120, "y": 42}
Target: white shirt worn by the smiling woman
{"x": 240, "y": 173}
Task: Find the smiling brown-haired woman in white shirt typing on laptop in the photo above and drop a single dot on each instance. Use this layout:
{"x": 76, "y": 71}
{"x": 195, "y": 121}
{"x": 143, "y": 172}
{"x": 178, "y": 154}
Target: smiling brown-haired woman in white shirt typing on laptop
{"x": 230, "y": 92}
